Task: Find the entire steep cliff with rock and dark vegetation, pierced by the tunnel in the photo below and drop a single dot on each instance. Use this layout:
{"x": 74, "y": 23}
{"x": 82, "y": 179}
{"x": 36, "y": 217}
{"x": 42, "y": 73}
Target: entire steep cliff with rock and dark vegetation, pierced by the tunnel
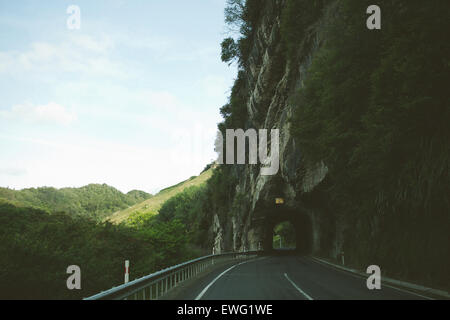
{"x": 370, "y": 106}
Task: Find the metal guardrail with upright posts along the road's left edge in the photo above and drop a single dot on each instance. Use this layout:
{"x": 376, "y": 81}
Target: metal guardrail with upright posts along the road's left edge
{"x": 155, "y": 285}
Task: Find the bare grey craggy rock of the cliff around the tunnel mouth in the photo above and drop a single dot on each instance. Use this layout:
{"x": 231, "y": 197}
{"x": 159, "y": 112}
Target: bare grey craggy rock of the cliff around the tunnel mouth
{"x": 272, "y": 82}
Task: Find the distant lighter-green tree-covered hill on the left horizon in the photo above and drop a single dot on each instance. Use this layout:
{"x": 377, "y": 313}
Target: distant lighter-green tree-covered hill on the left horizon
{"x": 94, "y": 200}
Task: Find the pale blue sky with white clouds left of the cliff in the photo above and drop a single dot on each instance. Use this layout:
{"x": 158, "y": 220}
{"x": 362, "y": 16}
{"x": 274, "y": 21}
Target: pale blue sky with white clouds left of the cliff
{"x": 130, "y": 99}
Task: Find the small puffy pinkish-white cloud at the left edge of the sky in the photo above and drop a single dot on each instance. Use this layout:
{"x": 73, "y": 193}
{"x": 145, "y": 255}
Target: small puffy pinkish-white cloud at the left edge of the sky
{"x": 49, "y": 113}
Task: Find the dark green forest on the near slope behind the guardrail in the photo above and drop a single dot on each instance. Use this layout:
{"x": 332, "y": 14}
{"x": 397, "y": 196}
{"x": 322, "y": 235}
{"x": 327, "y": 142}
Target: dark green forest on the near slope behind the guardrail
{"x": 37, "y": 247}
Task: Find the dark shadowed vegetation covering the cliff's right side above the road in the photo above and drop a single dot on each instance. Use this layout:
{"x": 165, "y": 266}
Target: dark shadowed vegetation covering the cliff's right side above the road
{"x": 375, "y": 108}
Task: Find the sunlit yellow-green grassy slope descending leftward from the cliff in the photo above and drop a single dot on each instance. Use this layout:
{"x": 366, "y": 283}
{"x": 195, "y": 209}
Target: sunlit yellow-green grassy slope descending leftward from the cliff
{"x": 152, "y": 205}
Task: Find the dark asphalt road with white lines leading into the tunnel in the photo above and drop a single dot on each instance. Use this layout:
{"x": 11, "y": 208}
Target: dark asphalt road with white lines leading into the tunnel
{"x": 286, "y": 278}
